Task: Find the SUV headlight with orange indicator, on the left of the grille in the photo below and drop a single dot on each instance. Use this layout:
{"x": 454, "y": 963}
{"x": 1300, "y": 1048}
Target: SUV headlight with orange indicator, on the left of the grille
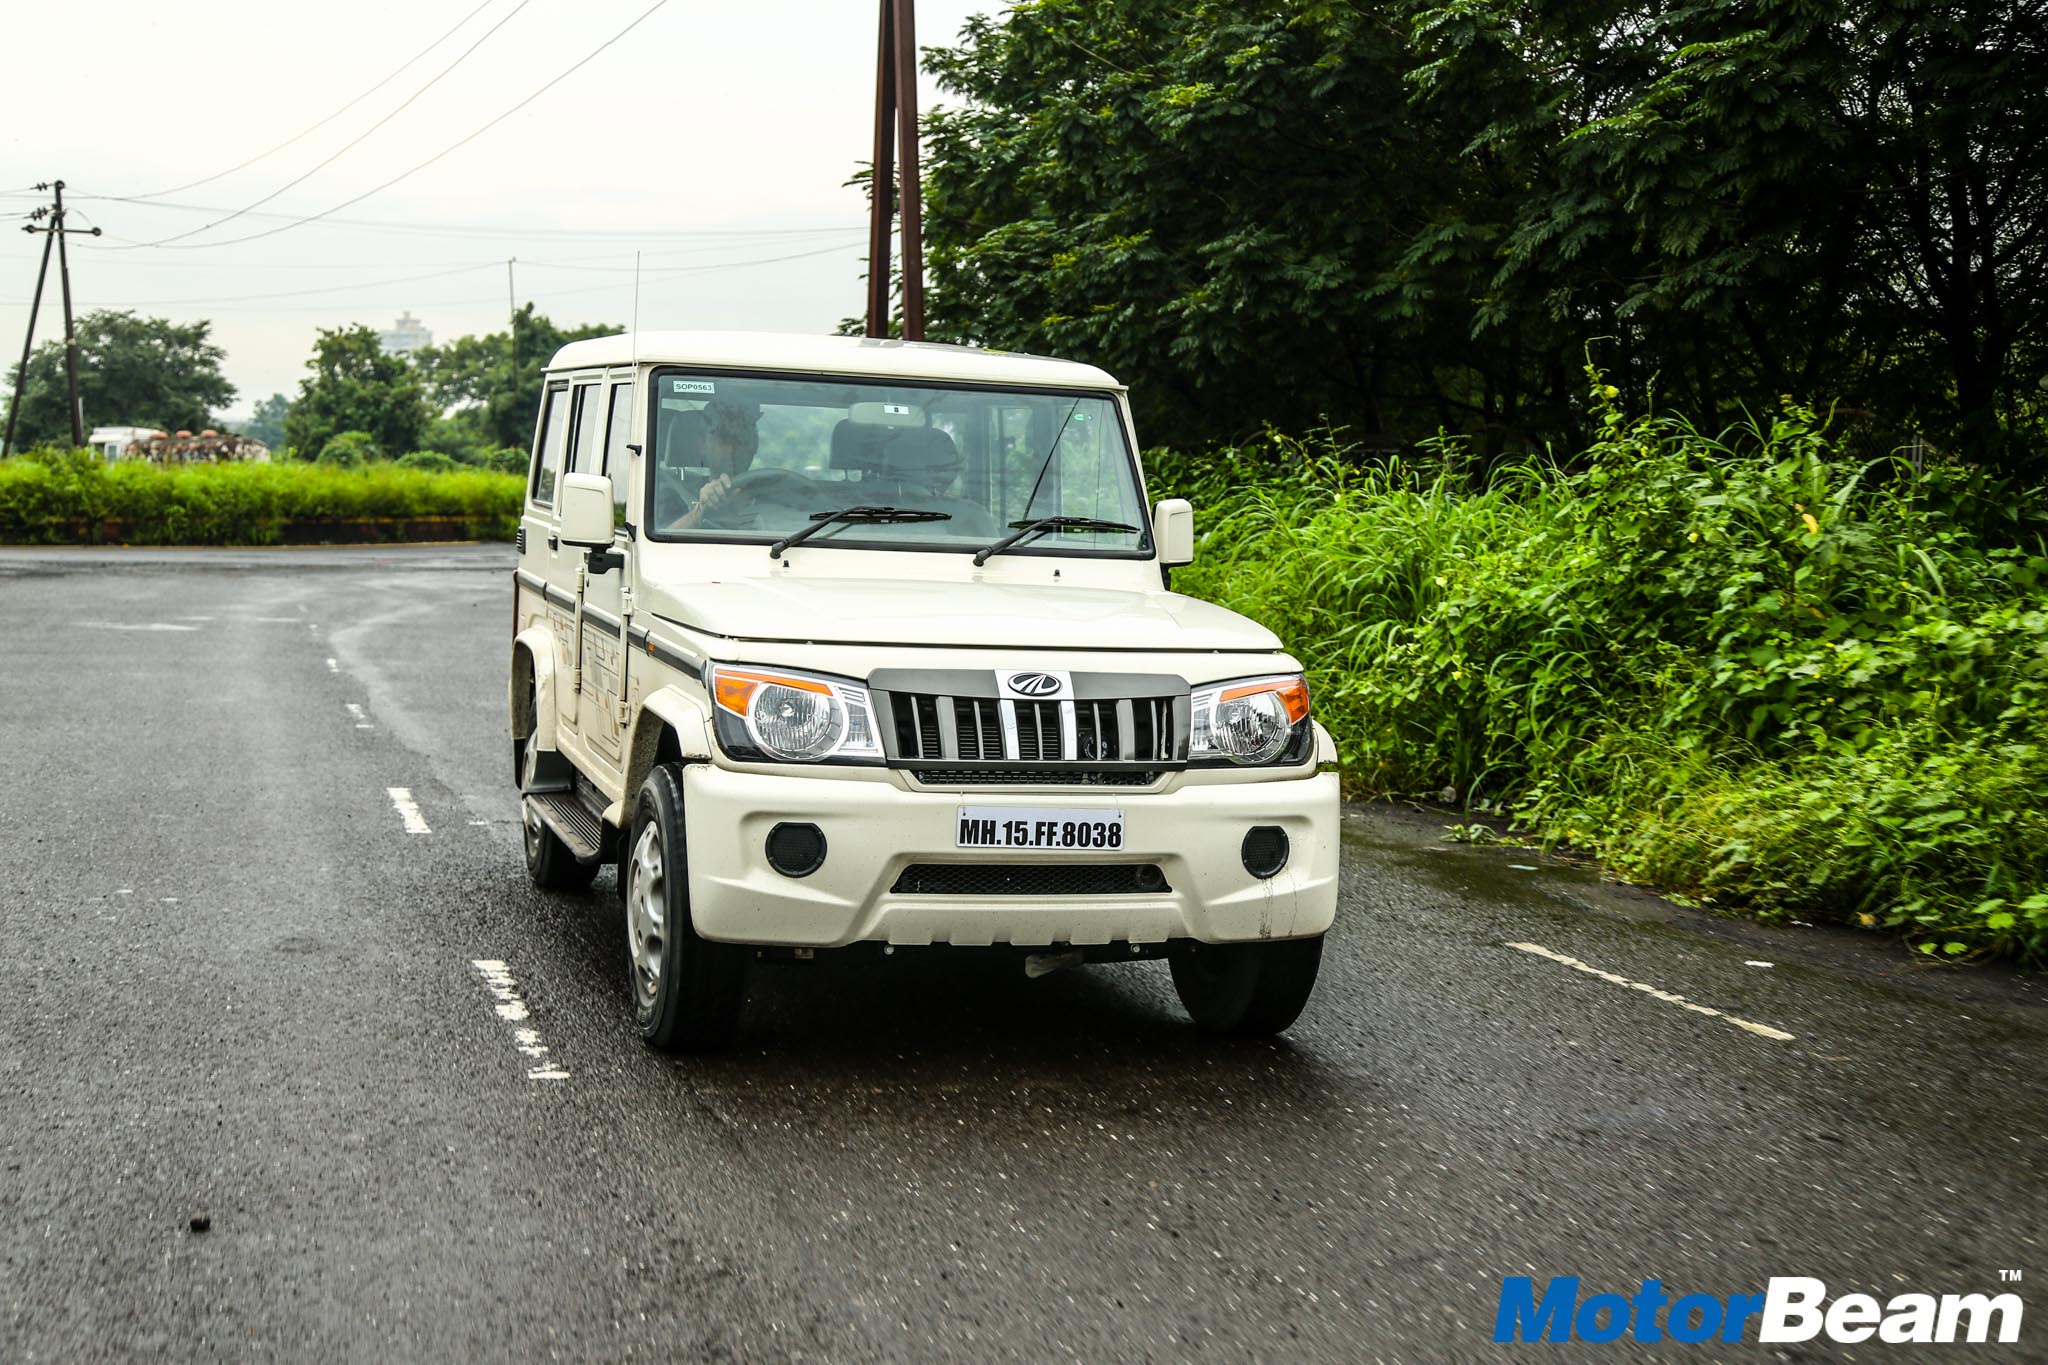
{"x": 792, "y": 717}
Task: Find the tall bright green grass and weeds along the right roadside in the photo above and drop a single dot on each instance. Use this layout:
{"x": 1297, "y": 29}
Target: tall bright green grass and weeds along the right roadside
{"x": 1740, "y": 664}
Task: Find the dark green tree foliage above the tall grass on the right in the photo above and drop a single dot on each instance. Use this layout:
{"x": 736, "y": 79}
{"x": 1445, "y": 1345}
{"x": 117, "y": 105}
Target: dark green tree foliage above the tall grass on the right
{"x": 1416, "y": 216}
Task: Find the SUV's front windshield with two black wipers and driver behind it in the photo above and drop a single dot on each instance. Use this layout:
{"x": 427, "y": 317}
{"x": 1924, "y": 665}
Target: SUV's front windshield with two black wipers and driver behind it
{"x": 757, "y": 459}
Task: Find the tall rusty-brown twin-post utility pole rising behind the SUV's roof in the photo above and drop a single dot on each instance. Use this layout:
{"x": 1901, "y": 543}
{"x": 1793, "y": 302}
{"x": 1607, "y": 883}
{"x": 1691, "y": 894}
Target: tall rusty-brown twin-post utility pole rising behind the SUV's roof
{"x": 896, "y": 128}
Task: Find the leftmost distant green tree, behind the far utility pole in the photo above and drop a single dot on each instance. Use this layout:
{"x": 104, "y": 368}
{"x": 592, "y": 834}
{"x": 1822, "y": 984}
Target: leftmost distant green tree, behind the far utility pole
{"x": 132, "y": 371}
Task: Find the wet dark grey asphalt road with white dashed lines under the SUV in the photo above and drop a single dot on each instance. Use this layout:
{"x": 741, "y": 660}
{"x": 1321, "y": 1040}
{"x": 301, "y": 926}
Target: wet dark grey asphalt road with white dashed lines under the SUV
{"x": 232, "y": 985}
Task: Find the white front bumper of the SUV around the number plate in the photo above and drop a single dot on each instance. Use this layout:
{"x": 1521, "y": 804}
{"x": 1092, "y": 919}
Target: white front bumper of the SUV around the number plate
{"x": 876, "y": 830}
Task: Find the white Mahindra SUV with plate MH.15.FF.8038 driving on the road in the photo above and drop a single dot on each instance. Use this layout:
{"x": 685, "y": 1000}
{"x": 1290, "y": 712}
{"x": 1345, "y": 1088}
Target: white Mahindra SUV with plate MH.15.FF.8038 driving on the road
{"x": 837, "y": 642}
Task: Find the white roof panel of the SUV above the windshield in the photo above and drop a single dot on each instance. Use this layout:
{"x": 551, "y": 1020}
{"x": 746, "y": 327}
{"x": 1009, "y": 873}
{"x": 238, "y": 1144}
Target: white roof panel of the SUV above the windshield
{"x": 830, "y": 355}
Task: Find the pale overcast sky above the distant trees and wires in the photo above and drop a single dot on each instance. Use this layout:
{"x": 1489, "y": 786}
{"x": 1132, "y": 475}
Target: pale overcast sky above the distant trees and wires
{"x": 714, "y": 138}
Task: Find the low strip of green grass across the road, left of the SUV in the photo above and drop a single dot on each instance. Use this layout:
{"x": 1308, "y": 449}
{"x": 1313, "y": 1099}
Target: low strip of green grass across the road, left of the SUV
{"x": 71, "y": 498}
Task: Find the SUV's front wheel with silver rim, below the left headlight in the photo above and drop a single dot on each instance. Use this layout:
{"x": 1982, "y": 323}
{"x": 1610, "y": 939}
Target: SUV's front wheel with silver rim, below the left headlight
{"x": 687, "y": 992}
